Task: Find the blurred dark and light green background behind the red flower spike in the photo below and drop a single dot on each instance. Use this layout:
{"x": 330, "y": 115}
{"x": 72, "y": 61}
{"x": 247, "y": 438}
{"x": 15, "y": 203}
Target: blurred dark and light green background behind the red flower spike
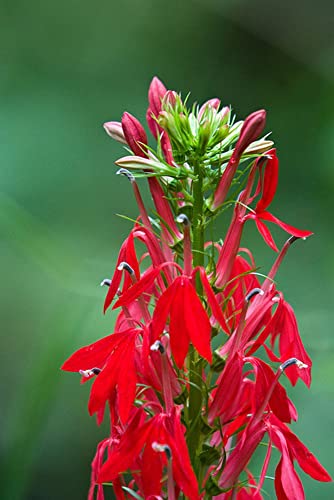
{"x": 68, "y": 66}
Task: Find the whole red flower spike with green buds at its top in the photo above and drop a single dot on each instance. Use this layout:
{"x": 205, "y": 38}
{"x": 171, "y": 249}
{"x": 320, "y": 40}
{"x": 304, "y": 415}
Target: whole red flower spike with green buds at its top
{"x": 186, "y": 421}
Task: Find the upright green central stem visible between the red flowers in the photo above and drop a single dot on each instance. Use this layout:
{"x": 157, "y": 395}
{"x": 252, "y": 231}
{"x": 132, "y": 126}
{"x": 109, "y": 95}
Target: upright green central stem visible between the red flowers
{"x": 195, "y": 362}
